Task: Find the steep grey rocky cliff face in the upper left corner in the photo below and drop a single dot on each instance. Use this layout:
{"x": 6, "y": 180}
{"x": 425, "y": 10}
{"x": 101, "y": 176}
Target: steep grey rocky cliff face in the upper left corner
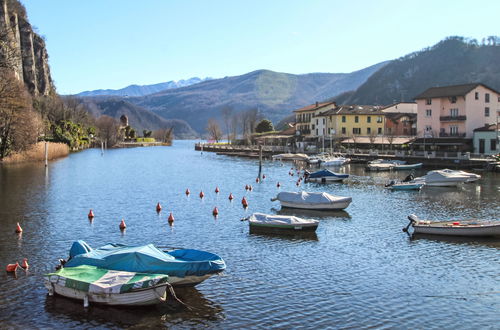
{"x": 22, "y": 50}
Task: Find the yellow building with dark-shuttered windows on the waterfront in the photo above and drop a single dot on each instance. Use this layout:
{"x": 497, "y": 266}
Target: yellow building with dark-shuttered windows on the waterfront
{"x": 354, "y": 120}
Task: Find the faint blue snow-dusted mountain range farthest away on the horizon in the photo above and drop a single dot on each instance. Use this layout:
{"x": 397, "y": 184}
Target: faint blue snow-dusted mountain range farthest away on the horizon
{"x": 140, "y": 90}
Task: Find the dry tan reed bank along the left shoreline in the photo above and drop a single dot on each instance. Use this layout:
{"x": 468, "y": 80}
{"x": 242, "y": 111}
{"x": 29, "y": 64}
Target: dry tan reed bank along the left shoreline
{"x": 37, "y": 153}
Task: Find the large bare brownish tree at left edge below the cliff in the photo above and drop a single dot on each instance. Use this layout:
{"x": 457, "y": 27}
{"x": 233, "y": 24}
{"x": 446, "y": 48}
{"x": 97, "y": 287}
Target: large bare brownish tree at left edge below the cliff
{"x": 20, "y": 126}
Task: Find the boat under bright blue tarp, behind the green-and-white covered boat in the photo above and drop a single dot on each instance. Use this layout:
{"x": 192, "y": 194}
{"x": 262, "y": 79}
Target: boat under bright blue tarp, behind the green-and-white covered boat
{"x": 185, "y": 267}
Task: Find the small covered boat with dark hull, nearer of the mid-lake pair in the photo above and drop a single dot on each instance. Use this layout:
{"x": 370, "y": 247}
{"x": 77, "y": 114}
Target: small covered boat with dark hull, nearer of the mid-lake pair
{"x": 280, "y": 223}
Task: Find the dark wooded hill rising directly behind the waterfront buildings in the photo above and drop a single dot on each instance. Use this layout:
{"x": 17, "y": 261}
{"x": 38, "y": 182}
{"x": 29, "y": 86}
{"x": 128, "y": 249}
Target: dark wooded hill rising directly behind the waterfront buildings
{"x": 452, "y": 61}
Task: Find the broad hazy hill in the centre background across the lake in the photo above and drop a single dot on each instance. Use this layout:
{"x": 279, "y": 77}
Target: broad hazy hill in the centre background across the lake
{"x": 274, "y": 94}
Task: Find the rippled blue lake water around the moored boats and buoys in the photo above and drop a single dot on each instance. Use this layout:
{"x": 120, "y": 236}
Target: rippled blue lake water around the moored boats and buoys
{"x": 359, "y": 270}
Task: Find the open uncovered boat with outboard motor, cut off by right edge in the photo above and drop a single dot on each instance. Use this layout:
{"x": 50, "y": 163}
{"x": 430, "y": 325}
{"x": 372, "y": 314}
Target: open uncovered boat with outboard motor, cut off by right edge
{"x": 454, "y": 228}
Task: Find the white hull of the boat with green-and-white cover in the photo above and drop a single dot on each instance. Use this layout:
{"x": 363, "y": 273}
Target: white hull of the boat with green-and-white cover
{"x": 141, "y": 297}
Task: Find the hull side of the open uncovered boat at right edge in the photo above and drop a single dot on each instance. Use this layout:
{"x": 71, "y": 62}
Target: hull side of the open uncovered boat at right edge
{"x": 478, "y": 231}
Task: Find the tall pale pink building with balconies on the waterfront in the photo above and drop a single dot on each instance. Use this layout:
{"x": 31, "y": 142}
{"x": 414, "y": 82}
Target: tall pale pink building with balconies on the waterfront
{"x": 455, "y": 111}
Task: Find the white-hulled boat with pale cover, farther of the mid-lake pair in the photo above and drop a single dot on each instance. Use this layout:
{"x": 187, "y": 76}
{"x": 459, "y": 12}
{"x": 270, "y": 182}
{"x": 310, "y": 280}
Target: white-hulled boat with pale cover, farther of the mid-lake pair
{"x": 312, "y": 200}
